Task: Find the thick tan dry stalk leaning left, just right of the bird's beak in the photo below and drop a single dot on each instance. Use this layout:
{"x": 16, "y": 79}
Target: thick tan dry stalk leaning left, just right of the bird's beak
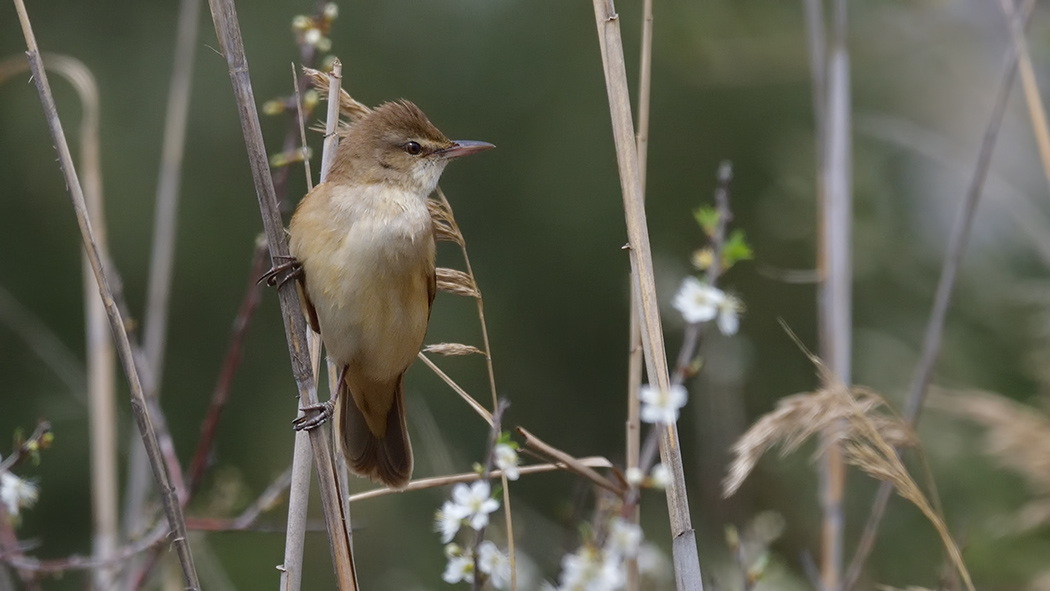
{"x": 687, "y": 565}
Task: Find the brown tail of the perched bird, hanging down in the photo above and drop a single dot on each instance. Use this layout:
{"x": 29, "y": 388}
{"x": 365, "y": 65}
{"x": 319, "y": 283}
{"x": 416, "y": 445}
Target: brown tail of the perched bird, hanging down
{"x": 382, "y": 452}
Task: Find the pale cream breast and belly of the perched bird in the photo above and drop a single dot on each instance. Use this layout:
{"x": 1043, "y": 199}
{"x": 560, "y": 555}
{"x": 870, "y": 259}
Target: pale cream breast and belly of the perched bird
{"x": 368, "y": 254}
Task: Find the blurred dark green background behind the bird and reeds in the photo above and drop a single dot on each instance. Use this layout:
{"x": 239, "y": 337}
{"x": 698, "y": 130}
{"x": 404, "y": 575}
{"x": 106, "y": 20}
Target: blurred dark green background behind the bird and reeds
{"x": 544, "y": 224}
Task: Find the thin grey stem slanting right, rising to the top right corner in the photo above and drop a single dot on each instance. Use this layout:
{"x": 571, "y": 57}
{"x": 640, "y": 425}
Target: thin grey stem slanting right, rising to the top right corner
{"x": 957, "y": 246}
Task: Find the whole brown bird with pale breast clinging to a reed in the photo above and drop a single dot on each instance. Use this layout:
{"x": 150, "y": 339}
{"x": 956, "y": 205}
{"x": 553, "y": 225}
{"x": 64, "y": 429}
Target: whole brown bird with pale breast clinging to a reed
{"x": 365, "y": 243}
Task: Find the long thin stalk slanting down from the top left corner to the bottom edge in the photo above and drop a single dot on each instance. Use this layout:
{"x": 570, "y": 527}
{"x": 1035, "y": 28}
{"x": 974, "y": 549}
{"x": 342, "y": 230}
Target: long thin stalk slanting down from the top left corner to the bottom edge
{"x": 169, "y": 496}
